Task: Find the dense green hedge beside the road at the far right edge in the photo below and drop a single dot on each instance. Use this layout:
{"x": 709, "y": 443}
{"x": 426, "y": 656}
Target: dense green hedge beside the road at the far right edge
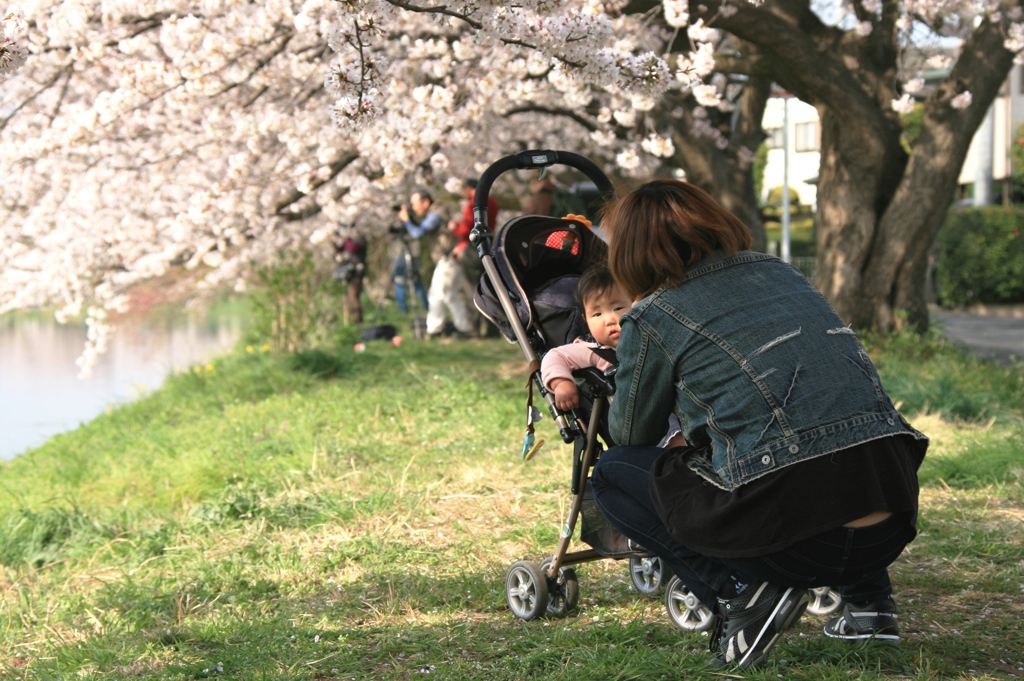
{"x": 982, "y": 258}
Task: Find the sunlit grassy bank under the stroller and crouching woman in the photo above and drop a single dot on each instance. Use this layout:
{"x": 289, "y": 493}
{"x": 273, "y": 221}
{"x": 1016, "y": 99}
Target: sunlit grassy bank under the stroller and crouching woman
{"x": 353, "y": 516}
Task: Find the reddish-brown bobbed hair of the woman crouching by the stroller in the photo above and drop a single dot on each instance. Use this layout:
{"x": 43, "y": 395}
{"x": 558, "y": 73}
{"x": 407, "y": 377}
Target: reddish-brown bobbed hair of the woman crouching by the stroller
{"x": 659, "y": 231}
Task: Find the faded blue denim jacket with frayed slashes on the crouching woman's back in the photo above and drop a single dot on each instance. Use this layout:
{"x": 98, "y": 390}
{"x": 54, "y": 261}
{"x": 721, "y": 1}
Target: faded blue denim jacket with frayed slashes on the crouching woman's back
{"x": 758, "y": 367}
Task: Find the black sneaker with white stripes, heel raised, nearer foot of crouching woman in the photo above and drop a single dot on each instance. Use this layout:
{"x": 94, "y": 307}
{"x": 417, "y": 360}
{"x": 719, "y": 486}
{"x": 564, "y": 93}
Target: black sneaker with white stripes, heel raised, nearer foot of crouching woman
{"x": 752, "y": 623}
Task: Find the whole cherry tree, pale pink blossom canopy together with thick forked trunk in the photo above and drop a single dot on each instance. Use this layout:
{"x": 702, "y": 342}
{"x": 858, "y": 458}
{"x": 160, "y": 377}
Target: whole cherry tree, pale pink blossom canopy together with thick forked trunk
{"x": 207, "y": 137}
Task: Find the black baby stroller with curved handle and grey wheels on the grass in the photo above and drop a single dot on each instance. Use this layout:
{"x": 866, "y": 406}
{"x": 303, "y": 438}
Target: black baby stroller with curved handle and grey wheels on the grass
{"x": 532, "y": 267}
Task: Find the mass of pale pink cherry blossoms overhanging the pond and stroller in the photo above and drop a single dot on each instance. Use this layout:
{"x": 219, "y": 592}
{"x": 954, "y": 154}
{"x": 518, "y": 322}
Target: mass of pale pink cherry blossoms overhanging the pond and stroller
{"x": 209, "y": 137}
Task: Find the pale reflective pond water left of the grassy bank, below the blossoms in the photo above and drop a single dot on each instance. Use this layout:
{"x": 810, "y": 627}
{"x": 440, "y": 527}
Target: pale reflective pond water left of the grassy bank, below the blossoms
{"x": 41, "y": 394}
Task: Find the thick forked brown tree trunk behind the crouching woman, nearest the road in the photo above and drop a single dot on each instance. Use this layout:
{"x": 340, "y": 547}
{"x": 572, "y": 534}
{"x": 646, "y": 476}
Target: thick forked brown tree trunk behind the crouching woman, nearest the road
{"x": 879, "y": 210}
